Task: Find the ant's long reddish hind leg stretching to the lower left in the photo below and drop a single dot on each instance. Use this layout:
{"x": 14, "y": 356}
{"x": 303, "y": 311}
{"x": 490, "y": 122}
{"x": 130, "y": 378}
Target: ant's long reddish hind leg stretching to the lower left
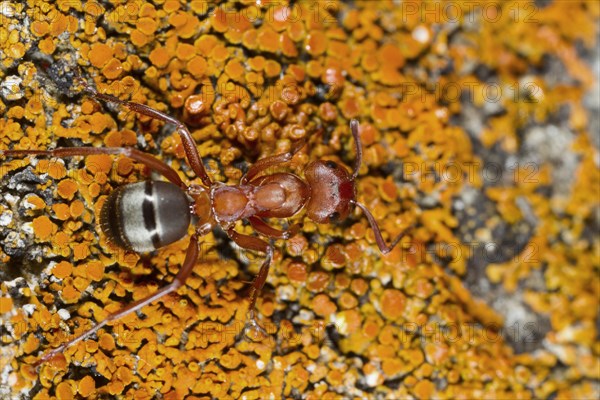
{"x": 186, "y": 269}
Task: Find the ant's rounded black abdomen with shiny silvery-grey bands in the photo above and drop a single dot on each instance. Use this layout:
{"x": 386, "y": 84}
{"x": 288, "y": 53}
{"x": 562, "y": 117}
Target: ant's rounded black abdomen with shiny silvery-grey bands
{"x": 145, "y": 216}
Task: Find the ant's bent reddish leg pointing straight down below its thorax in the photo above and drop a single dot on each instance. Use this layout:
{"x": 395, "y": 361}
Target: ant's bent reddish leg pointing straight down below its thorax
{"x": 254, "y": 243}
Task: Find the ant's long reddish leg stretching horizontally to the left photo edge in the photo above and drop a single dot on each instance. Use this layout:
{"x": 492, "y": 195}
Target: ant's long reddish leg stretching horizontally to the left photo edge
{"x": 137, "y": 155}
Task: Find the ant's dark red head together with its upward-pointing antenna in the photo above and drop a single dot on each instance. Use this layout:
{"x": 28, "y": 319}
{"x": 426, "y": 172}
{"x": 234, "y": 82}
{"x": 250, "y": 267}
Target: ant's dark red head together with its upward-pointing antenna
{"x": 332, "y": 188}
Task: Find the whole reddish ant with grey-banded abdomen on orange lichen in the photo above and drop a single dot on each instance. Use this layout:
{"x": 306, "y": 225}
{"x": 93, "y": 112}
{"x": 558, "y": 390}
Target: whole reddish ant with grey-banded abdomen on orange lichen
{"x": 144, "y": 216}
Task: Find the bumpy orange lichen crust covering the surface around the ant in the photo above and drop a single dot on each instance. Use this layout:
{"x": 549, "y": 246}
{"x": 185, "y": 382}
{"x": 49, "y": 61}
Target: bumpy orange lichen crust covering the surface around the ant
{"x": 307, "y": 74}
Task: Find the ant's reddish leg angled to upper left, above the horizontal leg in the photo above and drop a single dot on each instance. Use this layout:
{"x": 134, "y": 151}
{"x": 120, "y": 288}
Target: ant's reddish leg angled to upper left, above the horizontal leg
{"x": 189, "y": 145}
